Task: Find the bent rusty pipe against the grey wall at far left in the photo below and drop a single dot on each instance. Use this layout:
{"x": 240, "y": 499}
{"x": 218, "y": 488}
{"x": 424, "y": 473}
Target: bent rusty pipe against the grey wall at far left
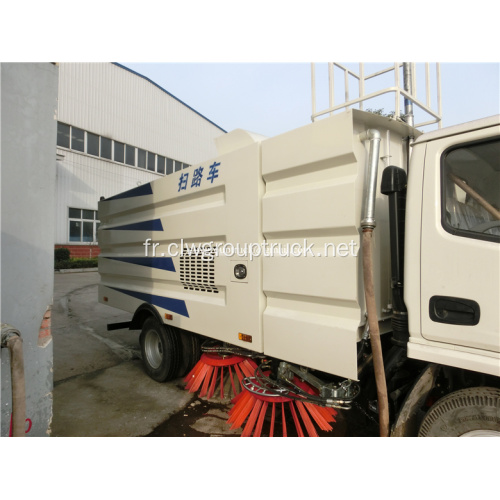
{"x": 11, "y": 338}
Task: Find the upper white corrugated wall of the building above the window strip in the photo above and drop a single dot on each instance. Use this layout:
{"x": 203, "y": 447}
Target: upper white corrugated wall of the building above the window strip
{"x": 108, "y": 100}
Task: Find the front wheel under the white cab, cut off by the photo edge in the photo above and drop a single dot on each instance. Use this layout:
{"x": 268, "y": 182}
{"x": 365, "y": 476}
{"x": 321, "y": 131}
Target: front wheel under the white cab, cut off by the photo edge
{"x": 468, "y": 412}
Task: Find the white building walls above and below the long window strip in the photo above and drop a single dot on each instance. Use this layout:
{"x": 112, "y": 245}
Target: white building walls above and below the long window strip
{"x": 110, "y": 101}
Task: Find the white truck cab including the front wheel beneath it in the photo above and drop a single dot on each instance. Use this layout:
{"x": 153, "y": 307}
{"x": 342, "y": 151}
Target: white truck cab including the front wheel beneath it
{"x": 451, "y": 291}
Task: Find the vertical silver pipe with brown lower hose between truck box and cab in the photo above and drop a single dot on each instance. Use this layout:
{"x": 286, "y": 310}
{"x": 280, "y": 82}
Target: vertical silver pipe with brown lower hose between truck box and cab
{"x": 368, "y": 225}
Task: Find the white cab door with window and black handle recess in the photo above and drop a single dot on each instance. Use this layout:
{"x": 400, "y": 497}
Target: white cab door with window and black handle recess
{"x": 460, "y": 247}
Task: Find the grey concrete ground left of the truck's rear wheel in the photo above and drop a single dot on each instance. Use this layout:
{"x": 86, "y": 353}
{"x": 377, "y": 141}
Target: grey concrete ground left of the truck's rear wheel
{"x": 100, "y": 388}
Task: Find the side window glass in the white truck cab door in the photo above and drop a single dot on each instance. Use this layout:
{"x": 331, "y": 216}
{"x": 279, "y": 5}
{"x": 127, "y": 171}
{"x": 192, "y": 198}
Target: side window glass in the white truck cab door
{"x": 471, "y": 190}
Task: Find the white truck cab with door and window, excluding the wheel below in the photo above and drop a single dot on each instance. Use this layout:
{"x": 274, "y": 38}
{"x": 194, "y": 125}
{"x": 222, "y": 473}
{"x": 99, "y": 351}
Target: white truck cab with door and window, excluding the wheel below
{"x": 452, "y": 264}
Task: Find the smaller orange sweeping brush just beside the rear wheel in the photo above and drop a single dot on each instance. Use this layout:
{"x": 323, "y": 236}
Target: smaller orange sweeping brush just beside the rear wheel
{"x": 207, "y": 376}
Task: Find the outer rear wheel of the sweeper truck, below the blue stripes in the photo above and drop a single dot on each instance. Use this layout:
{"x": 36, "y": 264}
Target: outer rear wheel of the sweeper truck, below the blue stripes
{"x": 160, "y": 350}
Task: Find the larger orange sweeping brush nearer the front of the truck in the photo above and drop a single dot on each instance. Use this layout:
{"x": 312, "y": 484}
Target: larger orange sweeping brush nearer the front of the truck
{"x": 255, "y": 403}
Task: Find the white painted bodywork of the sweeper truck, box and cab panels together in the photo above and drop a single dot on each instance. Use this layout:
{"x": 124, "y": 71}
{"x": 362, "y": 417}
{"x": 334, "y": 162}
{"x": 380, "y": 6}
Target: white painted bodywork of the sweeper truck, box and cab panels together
{"x": 303, "y": 192}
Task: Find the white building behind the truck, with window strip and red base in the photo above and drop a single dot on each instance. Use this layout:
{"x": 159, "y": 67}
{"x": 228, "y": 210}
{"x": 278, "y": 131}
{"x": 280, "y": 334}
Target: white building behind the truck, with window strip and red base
{"x": 116, "y": 130}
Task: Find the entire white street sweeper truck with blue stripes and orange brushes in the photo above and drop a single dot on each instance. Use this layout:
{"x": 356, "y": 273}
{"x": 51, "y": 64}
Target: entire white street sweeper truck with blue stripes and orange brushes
{"x": 351, "y": 258}
